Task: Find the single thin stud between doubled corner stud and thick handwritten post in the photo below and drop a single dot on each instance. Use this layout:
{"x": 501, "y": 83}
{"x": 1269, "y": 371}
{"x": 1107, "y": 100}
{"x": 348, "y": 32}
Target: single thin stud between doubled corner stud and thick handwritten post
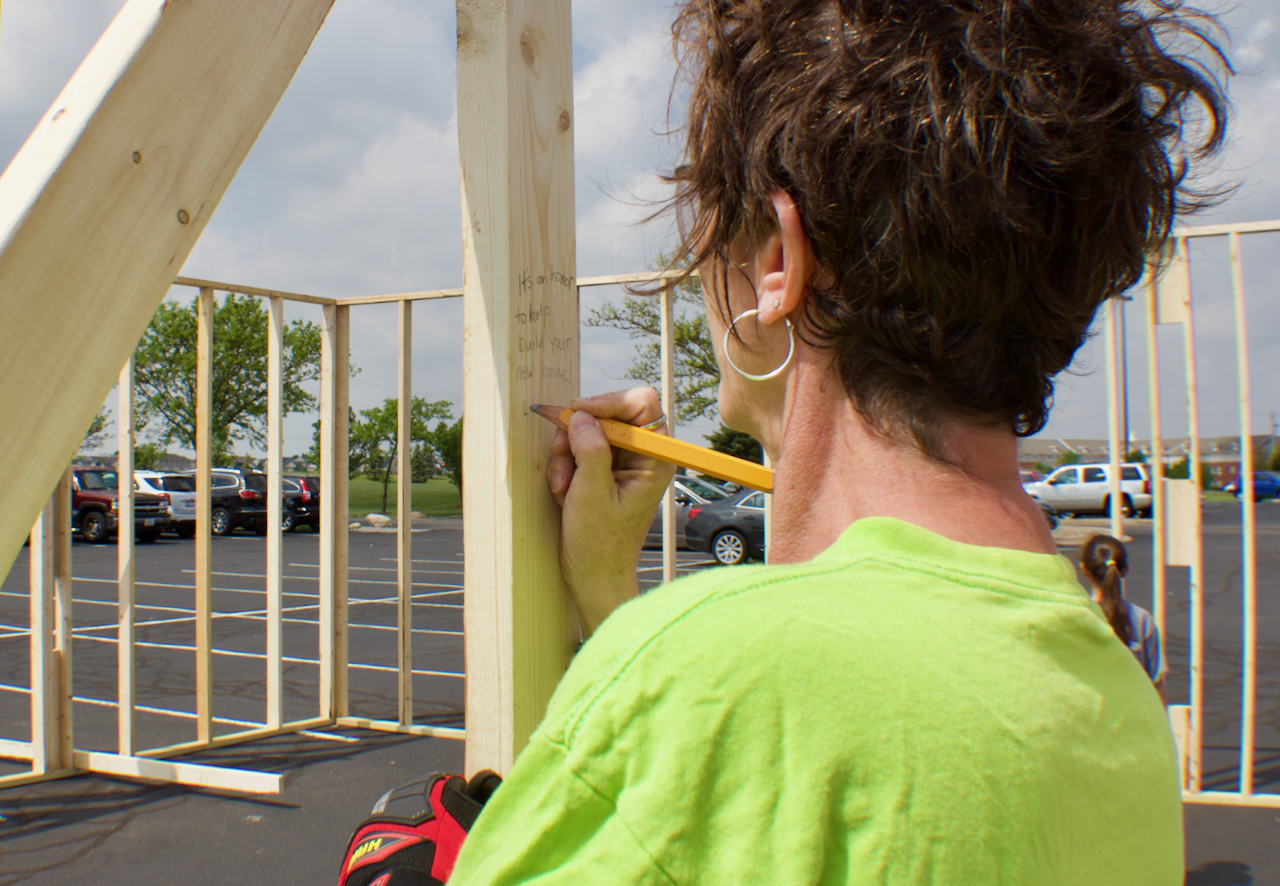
{"x": 404, "y": 523}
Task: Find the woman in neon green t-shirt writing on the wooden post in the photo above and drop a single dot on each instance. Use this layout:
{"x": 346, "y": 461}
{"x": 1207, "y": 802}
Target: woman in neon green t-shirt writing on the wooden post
{"x": 906, "y": 214}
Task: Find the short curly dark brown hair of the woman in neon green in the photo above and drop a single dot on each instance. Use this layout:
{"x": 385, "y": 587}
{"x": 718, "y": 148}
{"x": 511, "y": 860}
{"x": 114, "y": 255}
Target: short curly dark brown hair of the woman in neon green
{"x": 977, "y": 176}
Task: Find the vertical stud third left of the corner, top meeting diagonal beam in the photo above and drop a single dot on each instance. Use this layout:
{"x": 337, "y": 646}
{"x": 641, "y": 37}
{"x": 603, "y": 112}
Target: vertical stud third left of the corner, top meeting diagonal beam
{"x": 125, "y": 552}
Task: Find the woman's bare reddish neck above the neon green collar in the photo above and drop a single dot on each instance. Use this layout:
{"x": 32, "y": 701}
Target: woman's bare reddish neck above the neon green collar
{"x": 831, "y": 471}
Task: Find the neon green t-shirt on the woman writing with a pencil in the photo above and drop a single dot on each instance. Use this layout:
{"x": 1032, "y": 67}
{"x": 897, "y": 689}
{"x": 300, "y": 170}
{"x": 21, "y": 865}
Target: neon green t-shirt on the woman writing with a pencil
{"x": 900, "y": 710}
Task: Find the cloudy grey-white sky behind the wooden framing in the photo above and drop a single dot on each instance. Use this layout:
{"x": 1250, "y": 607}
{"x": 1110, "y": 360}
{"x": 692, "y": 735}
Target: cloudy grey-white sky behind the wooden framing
{"x": 353, "y": 189}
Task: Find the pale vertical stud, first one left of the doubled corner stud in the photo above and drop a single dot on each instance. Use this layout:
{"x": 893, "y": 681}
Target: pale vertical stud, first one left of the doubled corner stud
{"x": 275, "y": 510}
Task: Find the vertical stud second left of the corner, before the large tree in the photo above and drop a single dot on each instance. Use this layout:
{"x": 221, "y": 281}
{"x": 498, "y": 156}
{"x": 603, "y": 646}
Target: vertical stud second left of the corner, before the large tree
{"x": 204, "y": 511}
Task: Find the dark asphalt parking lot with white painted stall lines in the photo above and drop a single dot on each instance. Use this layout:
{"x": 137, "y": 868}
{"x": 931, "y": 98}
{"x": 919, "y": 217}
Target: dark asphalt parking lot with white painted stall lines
{"x": 117, "y": 832}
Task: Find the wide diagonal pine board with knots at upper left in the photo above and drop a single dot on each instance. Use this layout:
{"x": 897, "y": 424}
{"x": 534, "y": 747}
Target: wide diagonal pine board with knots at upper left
{"x": 104, "y": 203}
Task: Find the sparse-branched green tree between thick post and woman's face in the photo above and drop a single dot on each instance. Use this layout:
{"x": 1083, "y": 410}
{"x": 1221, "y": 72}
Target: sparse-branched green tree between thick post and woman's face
{"x": 696, "y": 375}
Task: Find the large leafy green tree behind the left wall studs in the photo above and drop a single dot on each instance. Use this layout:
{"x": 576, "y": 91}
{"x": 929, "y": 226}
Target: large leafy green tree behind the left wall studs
{"x": 166, "y": 373}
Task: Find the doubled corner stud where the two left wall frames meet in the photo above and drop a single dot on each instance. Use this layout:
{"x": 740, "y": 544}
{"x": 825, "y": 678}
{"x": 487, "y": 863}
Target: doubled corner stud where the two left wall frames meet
{"x": 335, "y": 513}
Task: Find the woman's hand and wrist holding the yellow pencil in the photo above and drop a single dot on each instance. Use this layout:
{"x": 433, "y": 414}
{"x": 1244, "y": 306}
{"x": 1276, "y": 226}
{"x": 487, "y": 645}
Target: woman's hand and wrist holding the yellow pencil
{"x": 610, "y": 497}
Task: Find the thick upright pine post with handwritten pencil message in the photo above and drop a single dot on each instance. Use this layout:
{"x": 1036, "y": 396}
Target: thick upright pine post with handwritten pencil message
{"x": 520, "y": 348}
